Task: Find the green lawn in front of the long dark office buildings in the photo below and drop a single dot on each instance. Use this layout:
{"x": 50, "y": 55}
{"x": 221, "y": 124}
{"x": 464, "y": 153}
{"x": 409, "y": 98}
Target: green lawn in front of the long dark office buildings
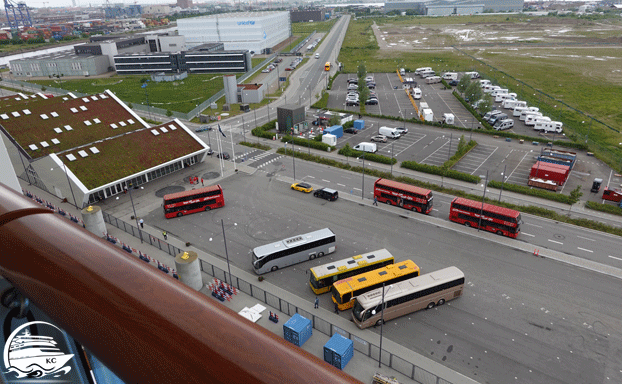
{"x": 181, "y": 96}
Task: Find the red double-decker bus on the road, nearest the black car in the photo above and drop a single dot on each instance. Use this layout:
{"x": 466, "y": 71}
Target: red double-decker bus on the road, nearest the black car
{"x": 403, "y": 195}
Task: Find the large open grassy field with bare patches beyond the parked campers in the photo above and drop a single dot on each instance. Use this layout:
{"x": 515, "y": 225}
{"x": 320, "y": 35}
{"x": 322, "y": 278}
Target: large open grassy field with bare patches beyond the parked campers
{"x": 570, "y": 67}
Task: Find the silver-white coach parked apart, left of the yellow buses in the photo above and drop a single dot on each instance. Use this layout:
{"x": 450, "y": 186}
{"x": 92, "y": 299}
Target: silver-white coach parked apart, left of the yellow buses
{"x": 293, "y": 250}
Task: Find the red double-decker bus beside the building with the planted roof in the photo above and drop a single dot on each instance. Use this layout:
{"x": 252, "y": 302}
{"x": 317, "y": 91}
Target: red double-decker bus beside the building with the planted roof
{"x": 195, "y": 200}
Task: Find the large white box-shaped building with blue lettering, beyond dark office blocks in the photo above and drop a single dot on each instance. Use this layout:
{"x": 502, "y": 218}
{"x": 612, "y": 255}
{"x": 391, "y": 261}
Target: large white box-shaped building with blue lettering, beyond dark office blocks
{"x": 253, "y": 31}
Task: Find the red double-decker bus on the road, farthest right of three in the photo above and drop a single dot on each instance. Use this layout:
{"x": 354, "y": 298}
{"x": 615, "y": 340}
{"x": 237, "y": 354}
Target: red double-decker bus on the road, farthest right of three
{"x": 502, "y": 221}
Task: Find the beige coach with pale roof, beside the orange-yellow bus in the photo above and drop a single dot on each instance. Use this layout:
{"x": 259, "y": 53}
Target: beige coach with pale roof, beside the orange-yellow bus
{"x": 425, "y": 291}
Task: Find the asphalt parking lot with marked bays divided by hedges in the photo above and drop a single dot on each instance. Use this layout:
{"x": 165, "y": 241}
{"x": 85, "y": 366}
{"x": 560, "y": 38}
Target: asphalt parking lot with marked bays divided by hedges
{"x": 433, "y": 145}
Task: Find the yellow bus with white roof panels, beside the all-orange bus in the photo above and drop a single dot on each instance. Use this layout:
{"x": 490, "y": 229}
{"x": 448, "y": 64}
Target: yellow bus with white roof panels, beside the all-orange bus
{"x": 322, "y": 277}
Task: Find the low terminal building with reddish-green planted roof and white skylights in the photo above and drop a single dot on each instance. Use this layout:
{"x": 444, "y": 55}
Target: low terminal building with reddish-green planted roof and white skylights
{"x": 86, "y": 149}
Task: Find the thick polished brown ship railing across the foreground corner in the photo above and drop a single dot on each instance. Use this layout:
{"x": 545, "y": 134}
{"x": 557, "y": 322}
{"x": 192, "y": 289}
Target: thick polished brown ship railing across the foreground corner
{"x": 143, "y": 325}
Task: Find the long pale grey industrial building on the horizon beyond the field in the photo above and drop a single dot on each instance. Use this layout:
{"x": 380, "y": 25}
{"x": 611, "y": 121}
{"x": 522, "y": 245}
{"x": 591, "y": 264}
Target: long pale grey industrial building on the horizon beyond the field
{"x": 453, "y": 7}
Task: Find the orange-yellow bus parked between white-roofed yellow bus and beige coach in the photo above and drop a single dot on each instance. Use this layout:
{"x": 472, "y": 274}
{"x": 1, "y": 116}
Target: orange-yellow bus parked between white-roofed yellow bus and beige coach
{"x": 346, "y": 290}
